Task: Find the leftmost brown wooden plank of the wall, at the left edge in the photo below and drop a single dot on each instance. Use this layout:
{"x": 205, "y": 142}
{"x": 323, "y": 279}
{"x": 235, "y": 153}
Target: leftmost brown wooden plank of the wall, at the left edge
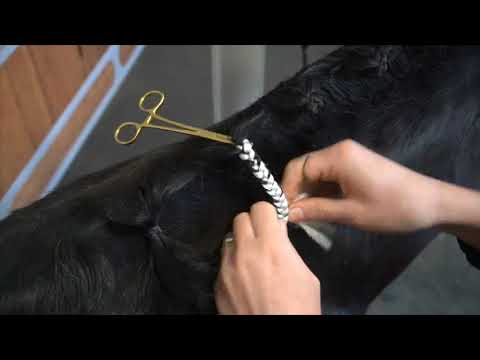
{"x": 16, "y": 146}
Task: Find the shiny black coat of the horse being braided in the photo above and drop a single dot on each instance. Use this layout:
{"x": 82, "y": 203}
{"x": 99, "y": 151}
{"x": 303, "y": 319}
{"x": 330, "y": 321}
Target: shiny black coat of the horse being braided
{"x": 144, "y": 236}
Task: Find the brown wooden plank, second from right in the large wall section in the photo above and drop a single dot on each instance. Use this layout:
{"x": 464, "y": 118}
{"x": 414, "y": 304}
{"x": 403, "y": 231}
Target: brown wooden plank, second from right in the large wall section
{"x": 61, "y": 73}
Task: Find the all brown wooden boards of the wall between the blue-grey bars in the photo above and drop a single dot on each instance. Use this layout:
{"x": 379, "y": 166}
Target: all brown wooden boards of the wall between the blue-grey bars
{"x": 37, "y": 82}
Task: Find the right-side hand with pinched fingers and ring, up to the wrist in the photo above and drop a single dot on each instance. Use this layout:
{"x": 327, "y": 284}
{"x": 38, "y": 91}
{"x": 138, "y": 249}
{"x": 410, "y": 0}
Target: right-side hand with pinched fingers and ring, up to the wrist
{"x": 369, "y": 191}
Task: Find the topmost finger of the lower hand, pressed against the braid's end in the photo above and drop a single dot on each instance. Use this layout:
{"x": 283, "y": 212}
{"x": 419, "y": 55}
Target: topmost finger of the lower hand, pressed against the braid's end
{"x": 264, "y": 220}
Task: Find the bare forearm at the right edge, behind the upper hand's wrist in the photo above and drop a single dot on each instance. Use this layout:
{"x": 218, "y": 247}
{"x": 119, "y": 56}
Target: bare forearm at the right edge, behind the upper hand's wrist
{"x": 458, "y": 212}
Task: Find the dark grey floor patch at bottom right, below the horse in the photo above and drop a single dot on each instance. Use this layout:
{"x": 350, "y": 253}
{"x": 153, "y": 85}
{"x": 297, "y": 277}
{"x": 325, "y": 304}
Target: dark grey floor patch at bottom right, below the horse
{"x": 439, "y": 281}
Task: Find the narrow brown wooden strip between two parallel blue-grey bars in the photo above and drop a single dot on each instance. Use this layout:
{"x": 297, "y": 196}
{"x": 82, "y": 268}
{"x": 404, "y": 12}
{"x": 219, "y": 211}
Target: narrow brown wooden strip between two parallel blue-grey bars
{"x": 56, "y": 153}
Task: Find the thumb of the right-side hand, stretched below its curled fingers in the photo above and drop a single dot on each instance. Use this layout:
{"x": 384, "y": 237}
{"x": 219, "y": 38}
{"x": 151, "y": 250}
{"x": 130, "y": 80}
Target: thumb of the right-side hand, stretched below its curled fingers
{"x": 322, "y": 209}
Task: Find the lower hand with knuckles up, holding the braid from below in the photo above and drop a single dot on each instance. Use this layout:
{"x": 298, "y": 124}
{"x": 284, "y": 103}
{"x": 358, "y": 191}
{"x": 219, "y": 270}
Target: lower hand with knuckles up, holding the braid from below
{"x": 261, "y": 272}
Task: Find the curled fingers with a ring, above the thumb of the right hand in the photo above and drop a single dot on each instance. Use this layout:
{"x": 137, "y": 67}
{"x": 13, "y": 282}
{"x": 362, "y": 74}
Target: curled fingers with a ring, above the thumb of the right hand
{"x": 303, "y": 174}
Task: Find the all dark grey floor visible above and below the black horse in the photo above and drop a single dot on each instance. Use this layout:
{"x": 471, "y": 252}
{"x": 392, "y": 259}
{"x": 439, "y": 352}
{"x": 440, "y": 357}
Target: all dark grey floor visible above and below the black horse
{"x": 439, "y": 281}
